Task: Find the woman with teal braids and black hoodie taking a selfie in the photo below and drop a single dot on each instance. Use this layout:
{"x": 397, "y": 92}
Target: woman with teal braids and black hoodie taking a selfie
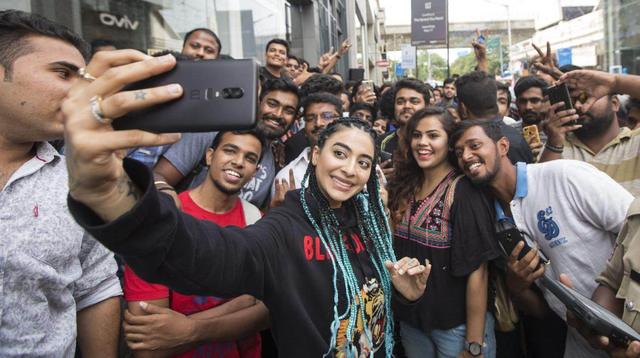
{"x": 322, "y": 262}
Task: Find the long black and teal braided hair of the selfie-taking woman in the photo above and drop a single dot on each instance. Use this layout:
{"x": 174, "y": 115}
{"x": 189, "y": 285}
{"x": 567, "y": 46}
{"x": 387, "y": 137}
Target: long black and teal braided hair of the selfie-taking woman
{"x": 375, "y": 232}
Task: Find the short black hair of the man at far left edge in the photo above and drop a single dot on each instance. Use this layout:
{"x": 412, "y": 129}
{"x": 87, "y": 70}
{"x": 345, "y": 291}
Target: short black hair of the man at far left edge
{"x": 16, "y": 26}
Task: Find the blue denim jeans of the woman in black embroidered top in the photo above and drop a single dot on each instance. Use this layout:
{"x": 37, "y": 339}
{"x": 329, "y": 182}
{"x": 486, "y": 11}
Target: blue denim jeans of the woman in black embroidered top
{"x": 444, "y": 343}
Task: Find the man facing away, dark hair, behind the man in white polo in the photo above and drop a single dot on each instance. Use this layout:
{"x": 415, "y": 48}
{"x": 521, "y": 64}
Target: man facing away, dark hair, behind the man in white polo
{"x": 477, "y": 96}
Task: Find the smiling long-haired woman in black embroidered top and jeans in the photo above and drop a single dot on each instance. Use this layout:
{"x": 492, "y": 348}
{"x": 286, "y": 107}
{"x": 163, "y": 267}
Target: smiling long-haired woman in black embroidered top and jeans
{"x": 440, "y": 216}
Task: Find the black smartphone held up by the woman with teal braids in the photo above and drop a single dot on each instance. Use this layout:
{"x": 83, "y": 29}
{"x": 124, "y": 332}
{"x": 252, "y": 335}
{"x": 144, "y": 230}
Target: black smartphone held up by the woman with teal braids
{"x": 217, "y": 95}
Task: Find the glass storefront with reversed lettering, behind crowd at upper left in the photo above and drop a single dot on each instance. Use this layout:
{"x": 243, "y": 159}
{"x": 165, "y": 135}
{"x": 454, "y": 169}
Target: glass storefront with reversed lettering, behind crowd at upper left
{"x": 244, "y": 26}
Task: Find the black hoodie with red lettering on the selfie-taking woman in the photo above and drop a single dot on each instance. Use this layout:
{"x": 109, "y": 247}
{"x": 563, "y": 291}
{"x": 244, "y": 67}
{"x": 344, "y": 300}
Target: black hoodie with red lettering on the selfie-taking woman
{"x": 279, "y": 260}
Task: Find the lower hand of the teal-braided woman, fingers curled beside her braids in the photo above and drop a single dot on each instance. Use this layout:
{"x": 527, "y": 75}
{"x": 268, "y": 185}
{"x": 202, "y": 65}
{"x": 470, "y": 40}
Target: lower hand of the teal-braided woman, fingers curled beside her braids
{"x": 409, "y": 277}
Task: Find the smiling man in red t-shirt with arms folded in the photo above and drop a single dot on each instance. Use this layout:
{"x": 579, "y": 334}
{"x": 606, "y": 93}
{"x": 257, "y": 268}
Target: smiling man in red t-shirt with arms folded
{"x": 162, "y": 322}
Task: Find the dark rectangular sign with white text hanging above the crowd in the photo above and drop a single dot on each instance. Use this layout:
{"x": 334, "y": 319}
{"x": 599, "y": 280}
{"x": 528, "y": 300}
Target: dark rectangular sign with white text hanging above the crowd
{"x": 429, "y": 22}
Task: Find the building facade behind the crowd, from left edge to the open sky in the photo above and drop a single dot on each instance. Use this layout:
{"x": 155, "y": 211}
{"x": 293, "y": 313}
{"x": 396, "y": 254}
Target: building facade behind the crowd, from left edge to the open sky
{"x": 244, "y": 26}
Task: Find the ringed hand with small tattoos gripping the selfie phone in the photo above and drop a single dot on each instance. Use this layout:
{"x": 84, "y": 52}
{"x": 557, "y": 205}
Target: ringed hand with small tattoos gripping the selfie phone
{"x": 94, "y": 150}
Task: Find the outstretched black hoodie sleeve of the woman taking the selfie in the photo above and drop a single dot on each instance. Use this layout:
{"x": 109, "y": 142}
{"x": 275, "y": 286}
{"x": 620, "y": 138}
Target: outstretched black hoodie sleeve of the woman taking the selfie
{"x": 164, "y": 245}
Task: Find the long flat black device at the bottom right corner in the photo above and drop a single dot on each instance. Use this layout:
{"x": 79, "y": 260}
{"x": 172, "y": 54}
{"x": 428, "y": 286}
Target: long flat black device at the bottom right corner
{"x": 596, "y": 317}
